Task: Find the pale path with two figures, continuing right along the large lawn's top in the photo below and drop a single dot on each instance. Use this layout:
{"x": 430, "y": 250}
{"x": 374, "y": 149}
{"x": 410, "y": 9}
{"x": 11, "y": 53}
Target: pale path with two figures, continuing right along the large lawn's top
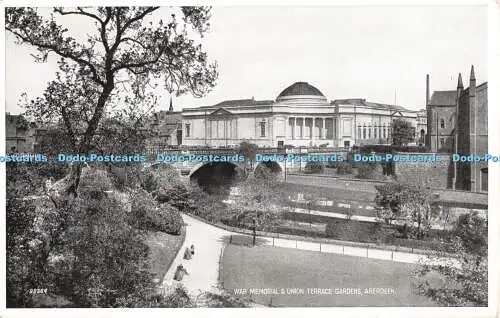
{"x": 208, "y": 240}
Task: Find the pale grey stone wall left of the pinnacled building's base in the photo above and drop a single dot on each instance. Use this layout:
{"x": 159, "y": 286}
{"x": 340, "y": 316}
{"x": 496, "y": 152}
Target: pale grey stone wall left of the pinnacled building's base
{"x": 436, "y": 174}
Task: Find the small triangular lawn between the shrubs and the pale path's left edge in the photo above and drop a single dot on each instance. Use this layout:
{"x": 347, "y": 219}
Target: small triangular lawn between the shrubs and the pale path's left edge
{"x": 163, "y": 248}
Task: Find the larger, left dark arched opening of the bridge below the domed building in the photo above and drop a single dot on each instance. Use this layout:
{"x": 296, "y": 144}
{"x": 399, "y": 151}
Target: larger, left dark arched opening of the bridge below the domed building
{"x": 217, "y": 177}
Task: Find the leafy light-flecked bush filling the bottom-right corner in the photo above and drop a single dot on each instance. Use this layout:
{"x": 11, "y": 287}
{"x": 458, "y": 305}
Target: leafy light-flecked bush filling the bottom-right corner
{"x": 466, "y": 278}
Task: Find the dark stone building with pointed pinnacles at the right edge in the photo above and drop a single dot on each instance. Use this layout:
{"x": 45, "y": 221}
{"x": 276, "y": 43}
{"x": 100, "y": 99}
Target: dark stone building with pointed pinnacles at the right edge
{"x": 457, "y": 122}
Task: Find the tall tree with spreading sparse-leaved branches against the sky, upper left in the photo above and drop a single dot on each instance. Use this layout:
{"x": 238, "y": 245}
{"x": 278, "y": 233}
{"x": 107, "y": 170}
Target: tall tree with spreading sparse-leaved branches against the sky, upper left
{"x": 117, "y": 62}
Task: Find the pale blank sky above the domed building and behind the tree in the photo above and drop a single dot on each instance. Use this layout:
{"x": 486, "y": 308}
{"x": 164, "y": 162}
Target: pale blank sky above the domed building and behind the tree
{"x": 381, "y": 54}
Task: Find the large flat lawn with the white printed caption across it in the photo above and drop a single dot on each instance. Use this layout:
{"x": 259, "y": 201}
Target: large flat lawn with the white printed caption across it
{"x": 272, "y": 268}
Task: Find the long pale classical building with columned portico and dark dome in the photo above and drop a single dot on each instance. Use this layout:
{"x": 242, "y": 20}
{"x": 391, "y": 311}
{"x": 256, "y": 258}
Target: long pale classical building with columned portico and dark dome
{"x": 300, "y": 115}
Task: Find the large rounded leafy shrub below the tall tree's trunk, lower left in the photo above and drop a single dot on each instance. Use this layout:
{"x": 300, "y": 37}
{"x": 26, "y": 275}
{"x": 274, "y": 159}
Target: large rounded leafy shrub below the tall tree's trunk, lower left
{"x": 102, "y": 252}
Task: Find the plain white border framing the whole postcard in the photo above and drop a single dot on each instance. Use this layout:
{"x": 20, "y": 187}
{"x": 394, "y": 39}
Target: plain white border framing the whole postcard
{"x": 493, "y": 186}
